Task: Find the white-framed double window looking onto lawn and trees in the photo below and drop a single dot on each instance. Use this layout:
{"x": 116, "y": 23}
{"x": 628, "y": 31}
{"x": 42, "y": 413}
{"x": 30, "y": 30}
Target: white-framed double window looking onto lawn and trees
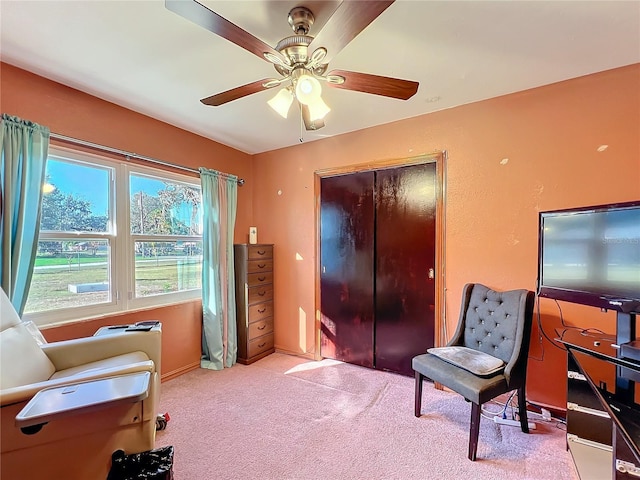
{"x": 113, "y": 237}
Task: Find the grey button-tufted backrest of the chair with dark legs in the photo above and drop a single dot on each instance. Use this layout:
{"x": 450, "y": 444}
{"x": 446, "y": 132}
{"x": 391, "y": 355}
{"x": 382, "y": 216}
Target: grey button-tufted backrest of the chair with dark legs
{"x": 497, "y": 323}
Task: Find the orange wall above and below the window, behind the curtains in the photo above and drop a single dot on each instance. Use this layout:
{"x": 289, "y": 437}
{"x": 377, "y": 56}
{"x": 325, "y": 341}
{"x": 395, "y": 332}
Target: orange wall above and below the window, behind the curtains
{"x": 72, "y": 113}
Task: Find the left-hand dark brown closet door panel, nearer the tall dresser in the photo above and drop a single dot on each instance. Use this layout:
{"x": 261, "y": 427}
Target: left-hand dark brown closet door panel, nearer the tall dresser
{"x": 347, "y": 267}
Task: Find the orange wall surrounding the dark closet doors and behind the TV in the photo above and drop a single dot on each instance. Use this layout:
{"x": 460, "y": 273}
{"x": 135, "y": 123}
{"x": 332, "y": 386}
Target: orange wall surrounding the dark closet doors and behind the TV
{"x": 508, "y": 158}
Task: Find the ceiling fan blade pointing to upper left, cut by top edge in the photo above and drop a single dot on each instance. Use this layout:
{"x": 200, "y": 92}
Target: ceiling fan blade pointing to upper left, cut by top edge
{"x": 201, "y": 15}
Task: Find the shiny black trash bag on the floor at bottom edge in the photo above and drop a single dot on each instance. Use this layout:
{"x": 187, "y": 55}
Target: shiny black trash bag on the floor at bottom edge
{"x": 152, "y": 465}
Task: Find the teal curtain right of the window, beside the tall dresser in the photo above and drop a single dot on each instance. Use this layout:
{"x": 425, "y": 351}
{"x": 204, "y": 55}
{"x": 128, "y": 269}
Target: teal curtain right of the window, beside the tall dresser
{"x": 219, "y": 333}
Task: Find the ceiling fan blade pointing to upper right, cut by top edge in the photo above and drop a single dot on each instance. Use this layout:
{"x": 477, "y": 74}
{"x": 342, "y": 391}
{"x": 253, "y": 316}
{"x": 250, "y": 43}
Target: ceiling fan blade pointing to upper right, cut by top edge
{"x": 349, "y": 19}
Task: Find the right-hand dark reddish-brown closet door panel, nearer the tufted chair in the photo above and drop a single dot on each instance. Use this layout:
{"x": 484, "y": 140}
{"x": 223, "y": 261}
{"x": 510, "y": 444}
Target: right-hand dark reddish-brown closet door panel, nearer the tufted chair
{"x": 405, "y": 246}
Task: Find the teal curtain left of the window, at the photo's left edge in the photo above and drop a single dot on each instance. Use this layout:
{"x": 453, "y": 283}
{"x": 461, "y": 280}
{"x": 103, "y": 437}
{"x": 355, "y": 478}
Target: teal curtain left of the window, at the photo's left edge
{"x": 24, "y": 147}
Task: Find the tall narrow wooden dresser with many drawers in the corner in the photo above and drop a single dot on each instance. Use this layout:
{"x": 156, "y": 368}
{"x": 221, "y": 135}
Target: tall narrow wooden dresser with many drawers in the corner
{"x": 254, "y": 301}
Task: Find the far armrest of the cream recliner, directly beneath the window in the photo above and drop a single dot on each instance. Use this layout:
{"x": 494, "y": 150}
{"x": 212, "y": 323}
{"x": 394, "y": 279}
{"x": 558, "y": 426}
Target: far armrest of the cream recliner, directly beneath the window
{"x": 71, "y": 353}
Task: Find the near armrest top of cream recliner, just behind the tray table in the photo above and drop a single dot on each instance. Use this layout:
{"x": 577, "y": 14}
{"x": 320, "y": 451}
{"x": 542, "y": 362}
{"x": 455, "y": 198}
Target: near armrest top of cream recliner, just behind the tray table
{"x": 24, "y": 393}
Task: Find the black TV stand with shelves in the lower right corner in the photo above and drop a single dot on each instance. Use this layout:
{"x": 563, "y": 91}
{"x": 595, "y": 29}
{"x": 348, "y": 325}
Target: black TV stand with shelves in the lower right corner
{"x": 603, "y": 402}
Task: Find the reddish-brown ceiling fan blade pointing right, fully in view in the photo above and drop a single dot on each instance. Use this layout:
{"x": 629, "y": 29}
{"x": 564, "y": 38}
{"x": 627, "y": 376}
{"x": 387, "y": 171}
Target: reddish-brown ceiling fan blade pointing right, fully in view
{"x": 375, "y": 84}
